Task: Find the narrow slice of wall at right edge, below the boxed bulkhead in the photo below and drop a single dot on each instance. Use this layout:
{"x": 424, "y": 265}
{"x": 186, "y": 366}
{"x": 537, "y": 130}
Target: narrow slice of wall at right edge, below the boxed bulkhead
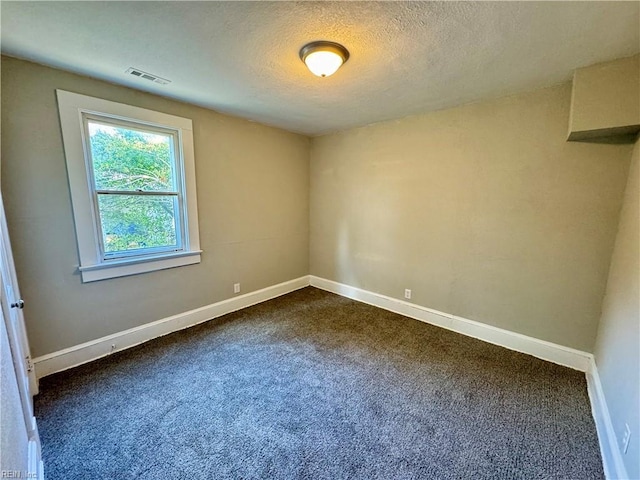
{"x": 617, "y": 349}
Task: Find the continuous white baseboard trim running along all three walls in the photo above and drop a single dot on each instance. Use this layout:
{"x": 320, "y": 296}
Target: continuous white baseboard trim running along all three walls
{"x": 576, "y": 359}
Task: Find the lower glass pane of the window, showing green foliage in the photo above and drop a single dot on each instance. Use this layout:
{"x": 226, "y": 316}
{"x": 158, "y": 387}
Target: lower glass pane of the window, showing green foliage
{"x": 133, "y": 222}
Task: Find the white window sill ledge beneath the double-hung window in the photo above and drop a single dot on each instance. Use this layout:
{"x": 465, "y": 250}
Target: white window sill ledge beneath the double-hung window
{"x": 134, "y": 266}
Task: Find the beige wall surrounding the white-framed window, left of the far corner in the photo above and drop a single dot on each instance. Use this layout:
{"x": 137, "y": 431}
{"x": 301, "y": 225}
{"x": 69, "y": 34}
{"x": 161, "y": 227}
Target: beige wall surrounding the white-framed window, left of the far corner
{"x": 253, "y": 184}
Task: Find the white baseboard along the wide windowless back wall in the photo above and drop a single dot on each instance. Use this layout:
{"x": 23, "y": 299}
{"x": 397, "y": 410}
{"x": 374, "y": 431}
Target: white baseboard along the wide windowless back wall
{"x": 551, "y": 352}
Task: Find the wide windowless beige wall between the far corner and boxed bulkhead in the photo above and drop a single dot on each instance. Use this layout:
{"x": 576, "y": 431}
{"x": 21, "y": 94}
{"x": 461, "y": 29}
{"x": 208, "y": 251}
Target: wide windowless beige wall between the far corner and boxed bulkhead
{"x": 484, "y": 211}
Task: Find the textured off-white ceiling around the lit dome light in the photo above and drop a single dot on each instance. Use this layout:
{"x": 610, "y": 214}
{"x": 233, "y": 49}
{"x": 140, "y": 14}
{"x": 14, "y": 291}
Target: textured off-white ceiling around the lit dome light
{"x": 242, "y": 57}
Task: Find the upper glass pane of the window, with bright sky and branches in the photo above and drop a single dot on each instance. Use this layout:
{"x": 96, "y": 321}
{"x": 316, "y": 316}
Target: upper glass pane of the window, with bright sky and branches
{"x": 127, "y": 159}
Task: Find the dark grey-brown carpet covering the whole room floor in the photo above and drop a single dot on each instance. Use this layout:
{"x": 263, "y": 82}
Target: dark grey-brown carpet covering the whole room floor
{"x": 313, "y": 385}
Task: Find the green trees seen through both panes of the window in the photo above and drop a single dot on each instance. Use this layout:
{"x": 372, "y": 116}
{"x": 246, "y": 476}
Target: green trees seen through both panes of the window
{"x": 136, "y": 187}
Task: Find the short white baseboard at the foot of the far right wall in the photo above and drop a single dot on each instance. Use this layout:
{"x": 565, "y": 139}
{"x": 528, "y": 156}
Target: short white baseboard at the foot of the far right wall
{"x": 611, "y": 457}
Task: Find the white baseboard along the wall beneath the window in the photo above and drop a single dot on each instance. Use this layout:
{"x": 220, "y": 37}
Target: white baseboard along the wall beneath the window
{"x": 86, "y": 352}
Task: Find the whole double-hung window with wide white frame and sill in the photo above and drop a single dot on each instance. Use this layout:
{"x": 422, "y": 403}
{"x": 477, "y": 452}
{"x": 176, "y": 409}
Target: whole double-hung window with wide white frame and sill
{"x": 132, "y": 179}
